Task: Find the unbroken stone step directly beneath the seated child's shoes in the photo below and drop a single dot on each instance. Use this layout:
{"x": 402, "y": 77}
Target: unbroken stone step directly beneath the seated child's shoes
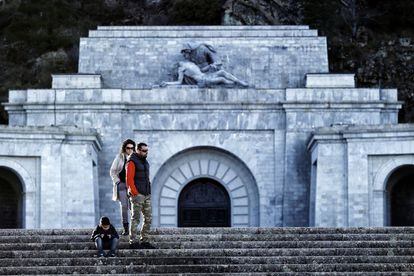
{"x": 191, "y": 260}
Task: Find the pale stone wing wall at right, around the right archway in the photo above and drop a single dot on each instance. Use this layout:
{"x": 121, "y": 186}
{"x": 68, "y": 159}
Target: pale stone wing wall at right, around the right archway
{"x": 353, "y": 166}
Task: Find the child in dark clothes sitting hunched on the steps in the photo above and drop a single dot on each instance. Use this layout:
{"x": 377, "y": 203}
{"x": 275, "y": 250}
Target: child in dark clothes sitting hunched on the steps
{"x": 105, "y": 237}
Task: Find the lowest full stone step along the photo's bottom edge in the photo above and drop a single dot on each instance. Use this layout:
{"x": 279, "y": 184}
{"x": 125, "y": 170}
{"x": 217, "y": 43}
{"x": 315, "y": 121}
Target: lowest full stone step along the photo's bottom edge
{"x": 379, "y": 267}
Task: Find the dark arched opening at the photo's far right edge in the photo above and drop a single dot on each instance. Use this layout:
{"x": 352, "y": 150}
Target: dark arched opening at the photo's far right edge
{"x": 400, "y": 188}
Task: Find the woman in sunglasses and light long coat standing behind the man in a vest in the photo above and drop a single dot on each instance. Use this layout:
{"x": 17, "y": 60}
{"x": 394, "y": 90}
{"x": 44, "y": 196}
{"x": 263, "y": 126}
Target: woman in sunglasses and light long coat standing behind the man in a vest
{"x": 118, "y": 175}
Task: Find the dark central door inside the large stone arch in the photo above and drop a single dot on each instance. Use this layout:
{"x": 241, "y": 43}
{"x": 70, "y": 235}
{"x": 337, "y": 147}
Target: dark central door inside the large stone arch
{"x": 204, "y": 203}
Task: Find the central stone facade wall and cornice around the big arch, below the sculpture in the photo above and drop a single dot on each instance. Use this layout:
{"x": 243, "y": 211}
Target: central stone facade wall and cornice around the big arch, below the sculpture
{"x": 266, "y": 129}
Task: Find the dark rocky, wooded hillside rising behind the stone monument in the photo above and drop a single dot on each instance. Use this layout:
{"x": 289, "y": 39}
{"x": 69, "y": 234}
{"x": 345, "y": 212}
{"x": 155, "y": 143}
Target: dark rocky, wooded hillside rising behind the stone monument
{"x": 374, "y": 40}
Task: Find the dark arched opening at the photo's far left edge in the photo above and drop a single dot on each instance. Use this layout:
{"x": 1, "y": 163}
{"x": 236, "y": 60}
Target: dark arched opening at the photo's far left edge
{"x": 11, "y": 200}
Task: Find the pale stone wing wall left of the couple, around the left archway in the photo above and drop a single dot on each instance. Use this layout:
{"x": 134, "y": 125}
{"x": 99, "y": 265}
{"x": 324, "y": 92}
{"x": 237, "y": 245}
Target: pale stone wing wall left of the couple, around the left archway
{"x": 55, "y": 168}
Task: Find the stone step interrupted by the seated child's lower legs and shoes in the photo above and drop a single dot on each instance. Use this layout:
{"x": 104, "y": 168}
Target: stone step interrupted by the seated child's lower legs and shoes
{"x": 183, "y": 253}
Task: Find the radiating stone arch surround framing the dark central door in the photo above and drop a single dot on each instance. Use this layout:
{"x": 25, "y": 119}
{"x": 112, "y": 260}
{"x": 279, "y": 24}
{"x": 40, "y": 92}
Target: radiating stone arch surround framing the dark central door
{"x": 215, "y": 164}
